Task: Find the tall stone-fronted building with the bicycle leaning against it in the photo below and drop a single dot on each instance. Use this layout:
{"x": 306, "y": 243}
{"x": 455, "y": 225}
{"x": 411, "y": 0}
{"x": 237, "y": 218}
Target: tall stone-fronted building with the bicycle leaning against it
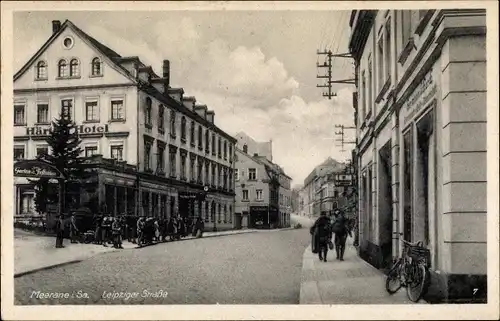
{"x": 421, "y": 125}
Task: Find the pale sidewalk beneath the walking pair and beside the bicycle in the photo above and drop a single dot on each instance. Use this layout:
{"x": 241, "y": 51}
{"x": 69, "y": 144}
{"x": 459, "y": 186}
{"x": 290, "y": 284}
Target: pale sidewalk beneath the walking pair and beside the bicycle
{"x": 352, "y": 281}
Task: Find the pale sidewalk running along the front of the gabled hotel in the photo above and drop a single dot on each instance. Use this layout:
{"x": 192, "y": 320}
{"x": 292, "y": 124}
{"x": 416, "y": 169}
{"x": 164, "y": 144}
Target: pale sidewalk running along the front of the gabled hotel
{"x": 34, "y": 252}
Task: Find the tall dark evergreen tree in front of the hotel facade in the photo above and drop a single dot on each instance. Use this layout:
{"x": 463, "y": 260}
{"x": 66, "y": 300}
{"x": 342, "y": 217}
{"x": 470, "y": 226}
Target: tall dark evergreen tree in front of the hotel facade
{"x": 64, "y": 143}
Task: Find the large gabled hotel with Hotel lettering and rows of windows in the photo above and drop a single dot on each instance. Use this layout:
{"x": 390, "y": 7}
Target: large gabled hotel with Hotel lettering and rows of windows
{"x": 155, "y": 150}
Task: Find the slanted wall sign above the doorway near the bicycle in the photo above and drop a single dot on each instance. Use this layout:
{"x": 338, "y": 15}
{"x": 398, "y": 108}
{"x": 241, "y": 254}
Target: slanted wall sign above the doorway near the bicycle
{"x": 419, "y": 99}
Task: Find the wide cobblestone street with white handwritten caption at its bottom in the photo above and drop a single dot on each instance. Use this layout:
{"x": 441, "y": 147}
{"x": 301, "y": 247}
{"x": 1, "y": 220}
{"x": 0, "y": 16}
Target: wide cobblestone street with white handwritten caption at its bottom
{"x": 256, "y": 268}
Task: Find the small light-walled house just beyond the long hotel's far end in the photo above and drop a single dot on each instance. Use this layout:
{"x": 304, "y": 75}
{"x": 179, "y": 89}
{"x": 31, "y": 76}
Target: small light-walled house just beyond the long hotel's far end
{"x": 263, "y": 194}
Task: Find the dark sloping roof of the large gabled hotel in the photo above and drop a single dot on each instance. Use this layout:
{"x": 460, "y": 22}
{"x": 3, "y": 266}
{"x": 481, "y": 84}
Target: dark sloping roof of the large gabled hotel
{"x": 115, "y": 60}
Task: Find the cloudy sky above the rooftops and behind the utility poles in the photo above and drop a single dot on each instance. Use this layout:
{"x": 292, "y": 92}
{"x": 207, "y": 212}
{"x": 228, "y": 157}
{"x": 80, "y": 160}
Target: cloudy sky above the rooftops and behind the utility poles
{"x": 255, "y": 69}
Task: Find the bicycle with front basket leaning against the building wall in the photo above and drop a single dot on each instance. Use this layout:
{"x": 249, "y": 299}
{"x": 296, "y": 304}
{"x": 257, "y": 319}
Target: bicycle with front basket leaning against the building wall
{"x": 410, "y": 271}
